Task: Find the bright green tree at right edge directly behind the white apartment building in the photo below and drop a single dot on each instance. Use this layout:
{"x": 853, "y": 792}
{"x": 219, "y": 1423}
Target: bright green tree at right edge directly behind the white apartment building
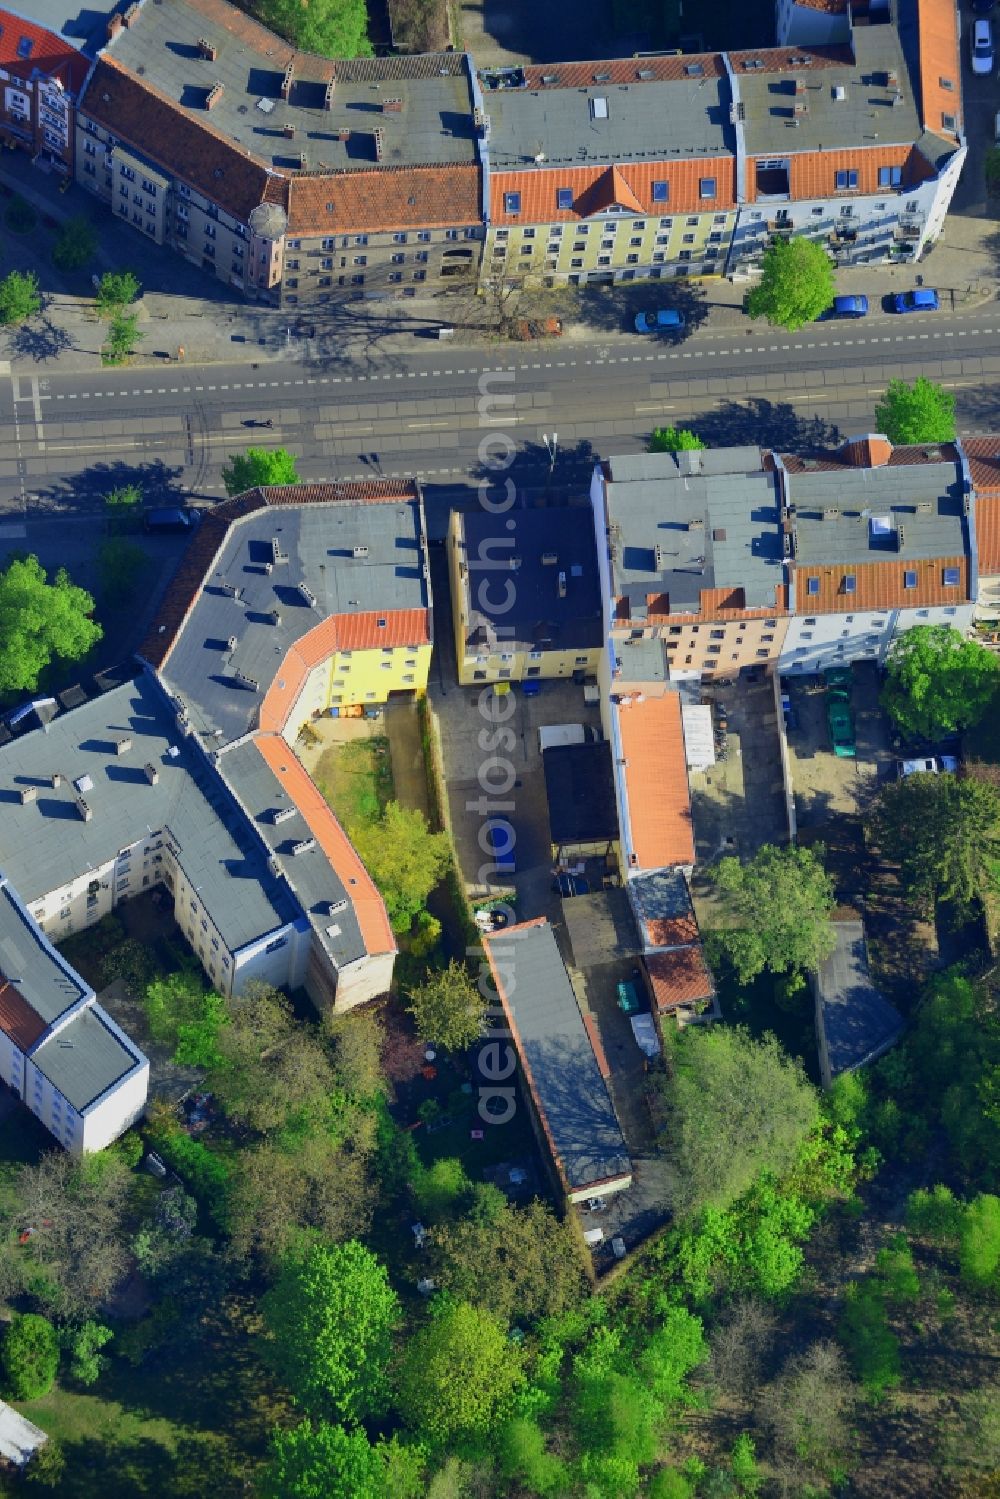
{"x": 938, "y": 683}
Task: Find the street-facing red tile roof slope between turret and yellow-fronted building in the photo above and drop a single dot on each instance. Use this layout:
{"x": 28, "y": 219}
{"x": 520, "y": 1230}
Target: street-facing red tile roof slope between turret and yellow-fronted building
{"x": 386, "y": 199}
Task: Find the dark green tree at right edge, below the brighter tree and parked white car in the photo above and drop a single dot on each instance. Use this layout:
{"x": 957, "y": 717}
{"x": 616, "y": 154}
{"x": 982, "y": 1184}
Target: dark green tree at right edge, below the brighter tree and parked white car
{"x": 944, "y": 833}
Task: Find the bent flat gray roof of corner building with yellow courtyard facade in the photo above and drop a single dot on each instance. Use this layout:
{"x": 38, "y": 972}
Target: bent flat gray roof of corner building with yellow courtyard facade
{"x": 319, "y": 542}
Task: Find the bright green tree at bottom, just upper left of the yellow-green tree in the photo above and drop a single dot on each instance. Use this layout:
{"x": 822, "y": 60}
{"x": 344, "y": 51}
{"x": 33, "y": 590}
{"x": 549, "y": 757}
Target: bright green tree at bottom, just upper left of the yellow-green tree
{"x": 332, "y": 1317}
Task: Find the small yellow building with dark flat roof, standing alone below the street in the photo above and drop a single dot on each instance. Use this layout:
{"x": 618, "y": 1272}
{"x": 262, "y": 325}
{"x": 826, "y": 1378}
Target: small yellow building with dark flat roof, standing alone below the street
{"x": 525, "y": 596}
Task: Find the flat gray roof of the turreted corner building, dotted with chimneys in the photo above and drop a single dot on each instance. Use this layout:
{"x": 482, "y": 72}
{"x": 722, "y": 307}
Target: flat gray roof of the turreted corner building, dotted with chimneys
{"x": 433, "y": 127}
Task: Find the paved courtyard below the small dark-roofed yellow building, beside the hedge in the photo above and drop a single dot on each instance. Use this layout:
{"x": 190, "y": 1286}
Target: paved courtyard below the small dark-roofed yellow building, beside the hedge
{"x": 493, "y": 776}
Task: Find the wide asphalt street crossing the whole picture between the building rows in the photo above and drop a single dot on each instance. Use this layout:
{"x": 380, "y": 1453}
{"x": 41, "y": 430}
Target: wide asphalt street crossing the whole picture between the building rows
{"x": 65, "y": 440}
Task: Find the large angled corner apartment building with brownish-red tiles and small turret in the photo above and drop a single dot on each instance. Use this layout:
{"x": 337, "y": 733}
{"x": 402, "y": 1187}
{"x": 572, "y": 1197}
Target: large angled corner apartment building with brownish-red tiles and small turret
{"x": 290, "y": 178}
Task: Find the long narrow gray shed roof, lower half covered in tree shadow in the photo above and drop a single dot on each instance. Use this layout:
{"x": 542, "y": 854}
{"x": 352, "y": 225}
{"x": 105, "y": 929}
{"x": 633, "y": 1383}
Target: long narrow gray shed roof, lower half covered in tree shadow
{"x": 566, "y": 1080}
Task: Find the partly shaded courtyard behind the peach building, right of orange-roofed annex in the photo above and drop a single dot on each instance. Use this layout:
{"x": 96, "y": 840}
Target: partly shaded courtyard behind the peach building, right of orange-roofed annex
{"x": 738, "y": 804}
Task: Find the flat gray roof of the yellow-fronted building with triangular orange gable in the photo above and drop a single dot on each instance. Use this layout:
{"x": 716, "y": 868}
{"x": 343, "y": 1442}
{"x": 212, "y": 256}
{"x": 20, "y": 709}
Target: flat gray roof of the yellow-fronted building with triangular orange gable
{"x": 651, "y": 121}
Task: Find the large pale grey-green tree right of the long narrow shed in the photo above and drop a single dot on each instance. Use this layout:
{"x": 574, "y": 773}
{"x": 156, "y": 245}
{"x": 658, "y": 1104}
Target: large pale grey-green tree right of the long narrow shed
{"x": 737, "y": 1107}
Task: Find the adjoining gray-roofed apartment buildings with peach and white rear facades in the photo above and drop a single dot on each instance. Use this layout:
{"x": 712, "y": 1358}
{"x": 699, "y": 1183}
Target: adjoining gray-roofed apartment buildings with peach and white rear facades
{"x": 740, "y": 558}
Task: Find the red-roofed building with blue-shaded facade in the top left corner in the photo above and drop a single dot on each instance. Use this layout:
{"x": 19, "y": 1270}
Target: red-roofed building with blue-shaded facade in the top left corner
{"x": 43, "y": 76}
